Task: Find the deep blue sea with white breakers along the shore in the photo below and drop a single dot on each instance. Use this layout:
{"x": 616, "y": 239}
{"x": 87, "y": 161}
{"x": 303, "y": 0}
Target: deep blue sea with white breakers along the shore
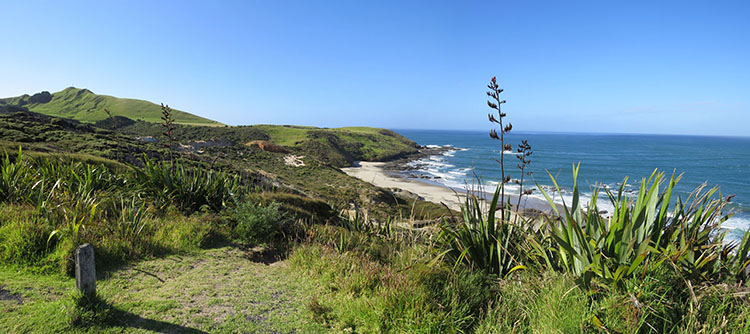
{"x": 605, "y": 159}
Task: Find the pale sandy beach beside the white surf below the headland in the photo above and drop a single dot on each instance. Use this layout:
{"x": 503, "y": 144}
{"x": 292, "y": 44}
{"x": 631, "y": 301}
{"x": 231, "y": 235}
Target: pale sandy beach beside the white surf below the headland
{"x": 374, "y": 173}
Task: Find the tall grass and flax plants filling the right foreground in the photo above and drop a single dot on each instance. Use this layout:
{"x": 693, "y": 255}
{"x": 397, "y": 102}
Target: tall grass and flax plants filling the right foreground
{"x": 686, "y": 281}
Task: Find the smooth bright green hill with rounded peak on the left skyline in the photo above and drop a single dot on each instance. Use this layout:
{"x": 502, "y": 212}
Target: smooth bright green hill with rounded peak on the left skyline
{"x": 85, "y": 106}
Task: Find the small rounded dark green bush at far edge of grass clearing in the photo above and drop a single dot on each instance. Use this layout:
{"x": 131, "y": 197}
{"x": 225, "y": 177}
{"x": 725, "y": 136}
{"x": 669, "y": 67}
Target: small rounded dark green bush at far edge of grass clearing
{"x": 256, "y": 224}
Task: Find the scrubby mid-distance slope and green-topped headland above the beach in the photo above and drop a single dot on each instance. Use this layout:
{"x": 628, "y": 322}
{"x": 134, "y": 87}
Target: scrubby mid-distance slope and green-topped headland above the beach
{"x": 323, "y": 150}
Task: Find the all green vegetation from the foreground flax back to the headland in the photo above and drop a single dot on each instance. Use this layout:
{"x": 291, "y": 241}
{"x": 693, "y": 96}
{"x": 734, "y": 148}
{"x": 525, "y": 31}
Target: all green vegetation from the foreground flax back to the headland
{"x": 244, "y": 242}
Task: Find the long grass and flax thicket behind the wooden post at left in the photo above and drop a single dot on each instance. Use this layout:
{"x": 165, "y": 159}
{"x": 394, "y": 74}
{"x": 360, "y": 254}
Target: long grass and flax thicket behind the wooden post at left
{"x": 50, "y": 204}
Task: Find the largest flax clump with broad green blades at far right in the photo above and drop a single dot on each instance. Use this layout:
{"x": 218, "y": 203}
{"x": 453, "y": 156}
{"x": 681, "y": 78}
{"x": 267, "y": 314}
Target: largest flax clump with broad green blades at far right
{"x": 641, "y": 233}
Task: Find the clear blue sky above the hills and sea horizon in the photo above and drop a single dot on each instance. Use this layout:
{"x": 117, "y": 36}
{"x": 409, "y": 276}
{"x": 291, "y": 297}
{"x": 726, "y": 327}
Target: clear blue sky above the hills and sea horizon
{"x": 569, "y": 66}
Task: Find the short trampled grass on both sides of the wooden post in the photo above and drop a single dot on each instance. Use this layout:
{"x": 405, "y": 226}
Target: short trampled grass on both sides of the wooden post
{"x": 219, "y": 290}
